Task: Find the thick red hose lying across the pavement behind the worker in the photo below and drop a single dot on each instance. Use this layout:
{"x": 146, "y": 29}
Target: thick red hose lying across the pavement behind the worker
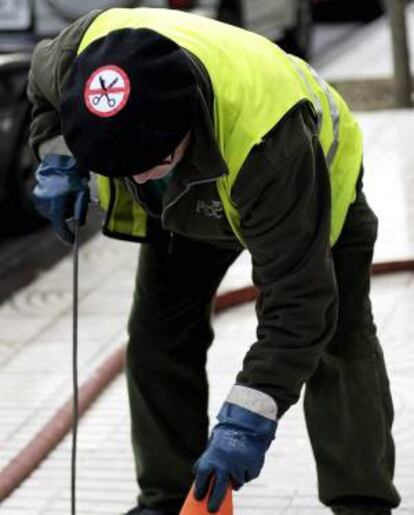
{"x": 60, "y": 424}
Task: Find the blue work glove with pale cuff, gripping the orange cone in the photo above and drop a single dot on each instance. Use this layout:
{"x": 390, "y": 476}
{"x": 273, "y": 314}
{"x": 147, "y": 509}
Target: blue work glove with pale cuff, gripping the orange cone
{"x": 236, "y": 450}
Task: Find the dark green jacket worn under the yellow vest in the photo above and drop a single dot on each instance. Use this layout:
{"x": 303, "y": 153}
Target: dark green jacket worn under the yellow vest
{"x": 283, "y": 196}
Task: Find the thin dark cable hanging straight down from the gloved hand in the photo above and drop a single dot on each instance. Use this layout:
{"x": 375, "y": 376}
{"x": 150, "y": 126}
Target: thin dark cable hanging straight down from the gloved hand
{"x": 75, "y": 366}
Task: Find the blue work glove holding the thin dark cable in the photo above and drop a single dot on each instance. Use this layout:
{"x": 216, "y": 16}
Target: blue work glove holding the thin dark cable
{"x": 62, "y": 193}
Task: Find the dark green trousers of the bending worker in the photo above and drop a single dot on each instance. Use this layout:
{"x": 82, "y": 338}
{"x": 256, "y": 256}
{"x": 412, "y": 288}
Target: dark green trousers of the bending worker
{"x": 348, "y": 406}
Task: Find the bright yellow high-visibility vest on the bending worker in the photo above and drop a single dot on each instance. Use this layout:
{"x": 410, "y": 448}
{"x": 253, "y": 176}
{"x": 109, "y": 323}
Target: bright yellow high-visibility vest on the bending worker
{"x": 269, "y": 84}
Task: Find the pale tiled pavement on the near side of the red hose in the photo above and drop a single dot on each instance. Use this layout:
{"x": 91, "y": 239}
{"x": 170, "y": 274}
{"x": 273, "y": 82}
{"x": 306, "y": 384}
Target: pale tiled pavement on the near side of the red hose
{"x": 287, "y": 486}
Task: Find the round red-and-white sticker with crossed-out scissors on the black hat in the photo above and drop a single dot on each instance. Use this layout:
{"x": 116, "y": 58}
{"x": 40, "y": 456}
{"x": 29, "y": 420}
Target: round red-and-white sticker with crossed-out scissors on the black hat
{"x": 107, "y": 91}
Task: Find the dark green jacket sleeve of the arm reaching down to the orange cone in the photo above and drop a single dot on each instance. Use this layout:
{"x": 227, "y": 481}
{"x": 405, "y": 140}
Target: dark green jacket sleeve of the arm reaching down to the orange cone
{"x": 283, "y": 196}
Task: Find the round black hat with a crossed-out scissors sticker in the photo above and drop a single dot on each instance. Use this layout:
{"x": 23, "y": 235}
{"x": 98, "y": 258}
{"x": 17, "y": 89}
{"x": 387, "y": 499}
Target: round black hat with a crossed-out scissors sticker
{"x": 128, "y": 102}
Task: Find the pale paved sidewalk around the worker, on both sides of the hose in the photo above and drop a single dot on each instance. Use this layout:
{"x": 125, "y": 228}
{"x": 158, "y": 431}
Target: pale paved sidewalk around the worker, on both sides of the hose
{"x": 35, "y": 353}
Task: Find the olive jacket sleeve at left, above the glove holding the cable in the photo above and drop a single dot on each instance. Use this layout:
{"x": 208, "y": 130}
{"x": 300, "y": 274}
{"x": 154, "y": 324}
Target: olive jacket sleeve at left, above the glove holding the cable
{"x": 51, "y": 65}
